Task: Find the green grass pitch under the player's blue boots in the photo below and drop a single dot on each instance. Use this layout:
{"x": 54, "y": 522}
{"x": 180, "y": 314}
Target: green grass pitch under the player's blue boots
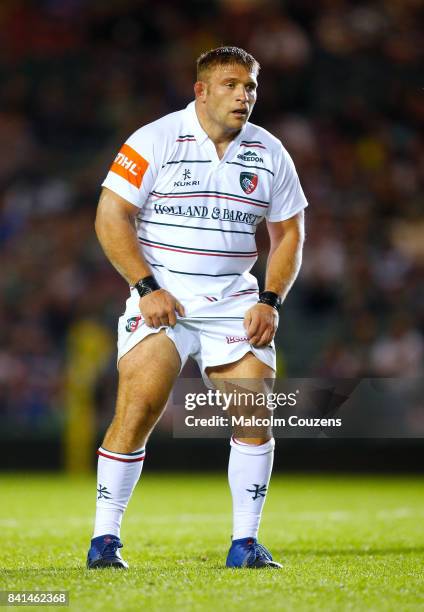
{"x": 346, "y": 542}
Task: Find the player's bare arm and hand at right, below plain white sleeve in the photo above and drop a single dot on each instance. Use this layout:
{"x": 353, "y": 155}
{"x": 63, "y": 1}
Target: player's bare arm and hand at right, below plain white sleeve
{"x": 284, "y": 260}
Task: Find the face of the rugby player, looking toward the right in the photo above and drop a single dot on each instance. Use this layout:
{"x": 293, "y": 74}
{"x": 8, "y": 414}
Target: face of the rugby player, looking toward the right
{"x": 229, "y": 96}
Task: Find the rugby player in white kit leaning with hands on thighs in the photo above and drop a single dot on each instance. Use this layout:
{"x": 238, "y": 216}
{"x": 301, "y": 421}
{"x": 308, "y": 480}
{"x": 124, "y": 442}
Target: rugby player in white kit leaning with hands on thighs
{"x": 177, "y": 218}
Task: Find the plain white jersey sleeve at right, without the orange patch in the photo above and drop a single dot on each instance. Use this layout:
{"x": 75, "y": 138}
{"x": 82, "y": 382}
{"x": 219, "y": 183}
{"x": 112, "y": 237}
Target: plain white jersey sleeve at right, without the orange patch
{"x": 287, "y": 197}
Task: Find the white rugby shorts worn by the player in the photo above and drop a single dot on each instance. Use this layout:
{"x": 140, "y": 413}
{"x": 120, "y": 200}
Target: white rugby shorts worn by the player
{"x": 213, "y": 336}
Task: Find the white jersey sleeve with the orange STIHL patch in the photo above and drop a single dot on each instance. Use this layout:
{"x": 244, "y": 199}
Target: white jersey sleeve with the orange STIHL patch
{"x": 133, "y": 172}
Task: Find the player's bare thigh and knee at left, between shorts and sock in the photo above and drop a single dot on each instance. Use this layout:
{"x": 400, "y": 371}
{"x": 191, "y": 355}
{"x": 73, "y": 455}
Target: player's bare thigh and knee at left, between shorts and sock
{"x": 146, "y": 376}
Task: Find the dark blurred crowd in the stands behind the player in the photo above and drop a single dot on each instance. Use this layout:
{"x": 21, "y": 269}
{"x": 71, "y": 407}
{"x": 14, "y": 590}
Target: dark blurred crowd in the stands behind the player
{"x": 340, "y": 84}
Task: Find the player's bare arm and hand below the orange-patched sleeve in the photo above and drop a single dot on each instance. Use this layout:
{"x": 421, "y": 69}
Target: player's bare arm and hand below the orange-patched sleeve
{"x": 115, "y": 229}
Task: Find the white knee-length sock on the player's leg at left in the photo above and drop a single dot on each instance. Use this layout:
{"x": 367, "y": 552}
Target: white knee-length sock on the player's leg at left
{"x": 117, "y": 475}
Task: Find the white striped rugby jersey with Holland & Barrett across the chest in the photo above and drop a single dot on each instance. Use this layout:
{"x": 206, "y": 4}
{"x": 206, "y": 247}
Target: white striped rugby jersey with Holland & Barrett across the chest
{"x": 198, "y": 213}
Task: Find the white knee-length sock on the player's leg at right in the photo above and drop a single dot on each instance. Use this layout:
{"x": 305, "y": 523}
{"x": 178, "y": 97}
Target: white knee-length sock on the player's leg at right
{"x": 249, "y": 472}
